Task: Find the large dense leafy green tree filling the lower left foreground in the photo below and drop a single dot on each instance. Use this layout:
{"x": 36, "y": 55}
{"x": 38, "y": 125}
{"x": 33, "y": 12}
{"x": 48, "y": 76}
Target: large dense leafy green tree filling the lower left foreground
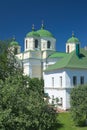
{"x": 22, "y": 106}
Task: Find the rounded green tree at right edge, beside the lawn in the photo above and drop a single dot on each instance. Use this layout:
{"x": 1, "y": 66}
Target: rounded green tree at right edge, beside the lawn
{"x": 79, "y": 105}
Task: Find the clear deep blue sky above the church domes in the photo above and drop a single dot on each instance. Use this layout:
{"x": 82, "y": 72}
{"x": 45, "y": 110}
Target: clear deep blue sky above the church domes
{"x": 61, "y": 17}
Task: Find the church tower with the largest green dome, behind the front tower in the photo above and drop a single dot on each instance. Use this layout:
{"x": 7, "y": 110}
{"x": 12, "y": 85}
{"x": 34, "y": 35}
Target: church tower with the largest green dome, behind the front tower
{"x": 47, "y": 42}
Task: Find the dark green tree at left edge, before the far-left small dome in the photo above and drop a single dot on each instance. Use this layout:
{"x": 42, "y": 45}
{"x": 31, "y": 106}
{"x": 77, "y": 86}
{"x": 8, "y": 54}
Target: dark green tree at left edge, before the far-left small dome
{"x": 9, "y": 64}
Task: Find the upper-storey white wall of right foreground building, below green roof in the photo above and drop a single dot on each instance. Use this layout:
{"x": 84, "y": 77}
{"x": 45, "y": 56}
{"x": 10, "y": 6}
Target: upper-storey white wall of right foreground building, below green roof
{"x": 67, "y": 77}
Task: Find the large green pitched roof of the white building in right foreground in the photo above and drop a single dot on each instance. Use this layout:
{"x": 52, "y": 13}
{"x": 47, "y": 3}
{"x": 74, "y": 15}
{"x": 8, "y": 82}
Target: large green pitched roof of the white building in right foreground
{"x": 71, "y": 61}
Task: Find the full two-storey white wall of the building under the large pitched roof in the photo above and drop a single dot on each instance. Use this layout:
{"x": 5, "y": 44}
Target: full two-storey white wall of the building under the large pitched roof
{"x": 67, "y": 83}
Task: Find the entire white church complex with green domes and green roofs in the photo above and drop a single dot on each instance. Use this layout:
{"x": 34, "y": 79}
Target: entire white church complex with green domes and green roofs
{"x": 60, "y": 71}
